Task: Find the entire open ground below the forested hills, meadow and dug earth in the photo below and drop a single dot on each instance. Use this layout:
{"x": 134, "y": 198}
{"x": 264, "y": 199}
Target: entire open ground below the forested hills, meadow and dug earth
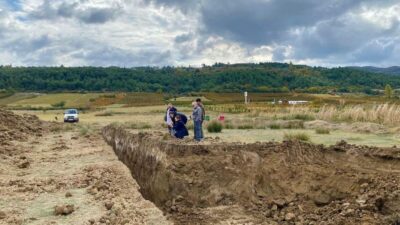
{"x": 246, "y": 174}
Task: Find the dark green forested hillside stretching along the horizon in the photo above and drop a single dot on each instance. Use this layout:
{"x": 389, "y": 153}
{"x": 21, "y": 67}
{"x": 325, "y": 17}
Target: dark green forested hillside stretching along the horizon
{"x": 263, "y": 77}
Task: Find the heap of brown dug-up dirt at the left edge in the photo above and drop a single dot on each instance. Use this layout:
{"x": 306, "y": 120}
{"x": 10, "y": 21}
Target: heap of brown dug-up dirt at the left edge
{"x": 16, "y": 128}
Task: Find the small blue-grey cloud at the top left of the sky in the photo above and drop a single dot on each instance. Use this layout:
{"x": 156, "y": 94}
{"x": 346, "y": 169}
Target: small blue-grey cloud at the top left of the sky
{"x": 90, "y": 15}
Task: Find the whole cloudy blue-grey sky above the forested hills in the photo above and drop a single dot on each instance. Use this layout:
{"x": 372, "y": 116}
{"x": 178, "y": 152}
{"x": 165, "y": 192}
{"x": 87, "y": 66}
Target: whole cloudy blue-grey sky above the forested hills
{"x": 129, "y": 33}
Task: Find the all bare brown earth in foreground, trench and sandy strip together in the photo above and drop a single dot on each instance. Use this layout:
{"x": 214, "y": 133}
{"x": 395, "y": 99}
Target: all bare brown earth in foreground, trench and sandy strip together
{"x": 50, "y": 174}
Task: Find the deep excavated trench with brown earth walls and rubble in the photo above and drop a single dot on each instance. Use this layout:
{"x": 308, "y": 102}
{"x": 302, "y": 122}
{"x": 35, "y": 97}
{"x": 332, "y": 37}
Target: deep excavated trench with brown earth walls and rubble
{"x": 262, "y": 183}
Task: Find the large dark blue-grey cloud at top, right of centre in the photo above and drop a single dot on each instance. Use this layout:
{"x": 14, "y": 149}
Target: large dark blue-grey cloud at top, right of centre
{"x": 263, "y": 22}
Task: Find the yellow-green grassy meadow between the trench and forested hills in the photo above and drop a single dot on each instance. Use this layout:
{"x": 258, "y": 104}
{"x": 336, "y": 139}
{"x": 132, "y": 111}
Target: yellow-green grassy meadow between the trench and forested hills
{"x": 325, "y": 119}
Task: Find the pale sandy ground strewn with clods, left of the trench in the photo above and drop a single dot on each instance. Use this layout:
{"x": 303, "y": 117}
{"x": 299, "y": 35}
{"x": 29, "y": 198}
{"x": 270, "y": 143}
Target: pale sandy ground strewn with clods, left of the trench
{"x": 60, "y": 177}
